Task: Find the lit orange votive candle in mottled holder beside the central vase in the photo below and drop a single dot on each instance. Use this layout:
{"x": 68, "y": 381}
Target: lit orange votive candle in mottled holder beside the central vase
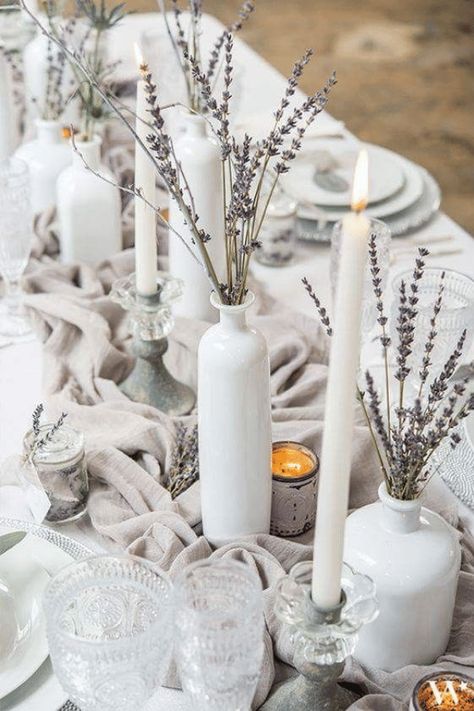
{"x": 294, "y": 470}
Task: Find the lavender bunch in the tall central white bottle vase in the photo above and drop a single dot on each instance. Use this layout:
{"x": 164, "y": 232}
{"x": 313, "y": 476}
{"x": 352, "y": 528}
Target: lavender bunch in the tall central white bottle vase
{"x": 249, "y": 175}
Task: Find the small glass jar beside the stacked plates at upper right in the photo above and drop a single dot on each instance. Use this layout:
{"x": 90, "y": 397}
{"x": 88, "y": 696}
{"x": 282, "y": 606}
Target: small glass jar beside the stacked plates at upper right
{"x": 278, "y": 233}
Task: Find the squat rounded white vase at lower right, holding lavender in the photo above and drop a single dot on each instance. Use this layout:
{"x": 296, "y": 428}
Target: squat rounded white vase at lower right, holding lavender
{"x": 414, "y": 557}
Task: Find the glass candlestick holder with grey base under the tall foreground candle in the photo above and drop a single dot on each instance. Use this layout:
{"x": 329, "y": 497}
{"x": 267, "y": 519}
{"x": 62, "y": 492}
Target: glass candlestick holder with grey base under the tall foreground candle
{"x": 322, "y": 639}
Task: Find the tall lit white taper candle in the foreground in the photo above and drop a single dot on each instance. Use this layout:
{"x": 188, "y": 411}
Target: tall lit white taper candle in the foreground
{"x": 336, "y": 451}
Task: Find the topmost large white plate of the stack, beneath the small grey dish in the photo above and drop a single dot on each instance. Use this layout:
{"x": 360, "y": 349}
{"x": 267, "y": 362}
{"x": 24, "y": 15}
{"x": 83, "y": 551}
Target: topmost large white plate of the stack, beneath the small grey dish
{"x": 386, "y": 177}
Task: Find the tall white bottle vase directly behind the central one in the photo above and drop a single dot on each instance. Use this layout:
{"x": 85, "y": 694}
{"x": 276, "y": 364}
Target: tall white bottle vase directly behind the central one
{"x": 200, "y": 159}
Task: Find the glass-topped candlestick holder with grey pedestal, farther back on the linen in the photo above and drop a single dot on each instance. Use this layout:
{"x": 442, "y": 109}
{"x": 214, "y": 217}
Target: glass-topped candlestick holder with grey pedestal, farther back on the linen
{"x": 151, "y": 319}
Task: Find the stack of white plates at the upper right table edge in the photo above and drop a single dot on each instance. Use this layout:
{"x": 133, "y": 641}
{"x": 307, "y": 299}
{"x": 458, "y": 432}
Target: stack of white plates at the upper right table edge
{"x": 401, "y": 193}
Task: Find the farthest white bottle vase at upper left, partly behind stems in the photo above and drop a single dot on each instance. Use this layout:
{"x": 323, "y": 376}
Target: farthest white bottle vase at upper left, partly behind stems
{"x": 35, "y": 72}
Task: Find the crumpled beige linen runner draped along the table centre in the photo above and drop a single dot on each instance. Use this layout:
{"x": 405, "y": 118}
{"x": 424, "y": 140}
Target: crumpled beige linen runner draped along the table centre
{"x": 129, "y": 446}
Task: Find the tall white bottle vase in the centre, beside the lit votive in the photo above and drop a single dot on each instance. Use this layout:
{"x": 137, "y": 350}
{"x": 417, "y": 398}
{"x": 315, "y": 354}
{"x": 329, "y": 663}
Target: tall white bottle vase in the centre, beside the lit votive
{"x": 235, "y": 440}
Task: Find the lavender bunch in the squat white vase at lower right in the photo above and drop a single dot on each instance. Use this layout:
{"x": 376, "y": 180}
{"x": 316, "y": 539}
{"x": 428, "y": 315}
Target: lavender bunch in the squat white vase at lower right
{"x": 405, "y": 446}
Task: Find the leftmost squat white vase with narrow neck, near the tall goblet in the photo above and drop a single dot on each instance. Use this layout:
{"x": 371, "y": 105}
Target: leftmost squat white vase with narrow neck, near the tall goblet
{"x": 46, "y": 157}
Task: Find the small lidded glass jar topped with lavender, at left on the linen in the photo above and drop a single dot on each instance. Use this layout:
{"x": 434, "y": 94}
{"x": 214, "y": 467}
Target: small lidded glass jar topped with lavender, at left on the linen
{"x": 61, "y": 468}
